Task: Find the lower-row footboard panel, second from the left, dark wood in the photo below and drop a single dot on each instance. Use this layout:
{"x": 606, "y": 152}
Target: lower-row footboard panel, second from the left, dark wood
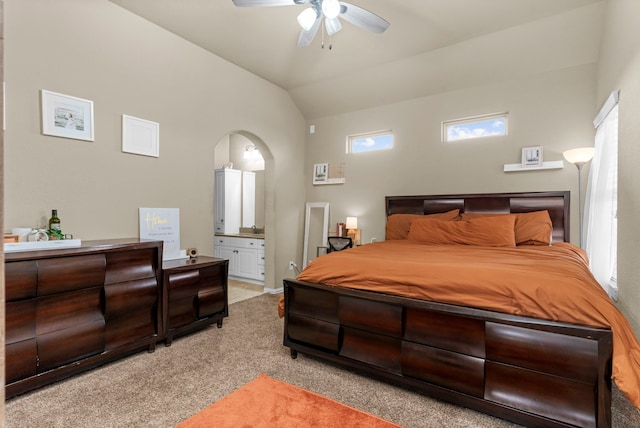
{"x": 370, "y": 348}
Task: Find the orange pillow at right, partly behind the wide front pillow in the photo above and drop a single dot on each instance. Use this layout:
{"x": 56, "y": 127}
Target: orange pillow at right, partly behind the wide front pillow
{"x": 533, "y": 228}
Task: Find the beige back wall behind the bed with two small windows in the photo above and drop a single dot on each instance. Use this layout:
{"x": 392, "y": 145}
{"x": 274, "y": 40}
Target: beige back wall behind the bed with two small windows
{"x": 553, "y": 109}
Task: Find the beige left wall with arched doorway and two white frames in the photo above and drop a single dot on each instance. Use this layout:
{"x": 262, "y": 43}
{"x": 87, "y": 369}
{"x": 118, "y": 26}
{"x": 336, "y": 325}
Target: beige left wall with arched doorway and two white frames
{"x": 95, "y": 50}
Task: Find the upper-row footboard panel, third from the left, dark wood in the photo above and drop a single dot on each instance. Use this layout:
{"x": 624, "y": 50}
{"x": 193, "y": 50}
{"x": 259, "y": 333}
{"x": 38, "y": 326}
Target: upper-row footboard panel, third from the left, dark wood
{"x": 444, "y": 331}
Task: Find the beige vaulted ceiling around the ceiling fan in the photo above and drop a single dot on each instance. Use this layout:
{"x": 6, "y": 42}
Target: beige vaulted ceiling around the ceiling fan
{"x": 431, "y": 46}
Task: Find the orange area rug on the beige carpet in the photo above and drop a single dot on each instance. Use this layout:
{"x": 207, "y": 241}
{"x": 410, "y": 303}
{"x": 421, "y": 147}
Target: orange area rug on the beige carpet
{"x": 267, "y": 402}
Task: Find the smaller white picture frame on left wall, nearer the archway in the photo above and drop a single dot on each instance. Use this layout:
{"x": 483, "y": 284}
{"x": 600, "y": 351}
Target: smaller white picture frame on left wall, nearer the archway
{"x": 140, "y": 136}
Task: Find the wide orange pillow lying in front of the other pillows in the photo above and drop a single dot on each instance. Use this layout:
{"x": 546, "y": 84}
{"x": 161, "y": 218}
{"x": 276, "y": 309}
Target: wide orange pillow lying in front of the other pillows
{"x": 493, "y": 231}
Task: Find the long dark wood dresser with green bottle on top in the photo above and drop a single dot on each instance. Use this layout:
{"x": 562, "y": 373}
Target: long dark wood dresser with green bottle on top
{"x": 70, "y": 310}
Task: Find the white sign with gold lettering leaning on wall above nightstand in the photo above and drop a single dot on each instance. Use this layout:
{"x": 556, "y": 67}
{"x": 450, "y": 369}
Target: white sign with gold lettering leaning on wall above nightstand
{"x": 162, "y": 224}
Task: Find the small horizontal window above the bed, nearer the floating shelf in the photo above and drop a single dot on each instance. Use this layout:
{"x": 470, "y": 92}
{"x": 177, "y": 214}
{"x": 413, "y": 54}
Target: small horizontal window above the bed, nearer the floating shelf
{"x": 489, "y": 125}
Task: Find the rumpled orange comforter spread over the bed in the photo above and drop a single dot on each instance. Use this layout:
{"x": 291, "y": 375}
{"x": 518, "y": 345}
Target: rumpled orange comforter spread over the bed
{"x": 549, "y": 282}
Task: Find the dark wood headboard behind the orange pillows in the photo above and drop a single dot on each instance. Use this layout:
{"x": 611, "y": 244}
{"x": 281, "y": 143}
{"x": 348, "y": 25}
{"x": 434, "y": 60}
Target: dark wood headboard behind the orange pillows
{"x": 557, "y": 203}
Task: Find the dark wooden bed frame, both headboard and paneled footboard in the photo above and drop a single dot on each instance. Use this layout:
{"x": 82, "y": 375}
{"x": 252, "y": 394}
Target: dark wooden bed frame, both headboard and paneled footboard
{"x": 529, "y": 371}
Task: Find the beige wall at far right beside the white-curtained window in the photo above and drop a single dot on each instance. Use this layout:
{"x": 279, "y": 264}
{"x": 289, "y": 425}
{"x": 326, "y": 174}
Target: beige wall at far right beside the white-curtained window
{"x": 619, "y": 69}
